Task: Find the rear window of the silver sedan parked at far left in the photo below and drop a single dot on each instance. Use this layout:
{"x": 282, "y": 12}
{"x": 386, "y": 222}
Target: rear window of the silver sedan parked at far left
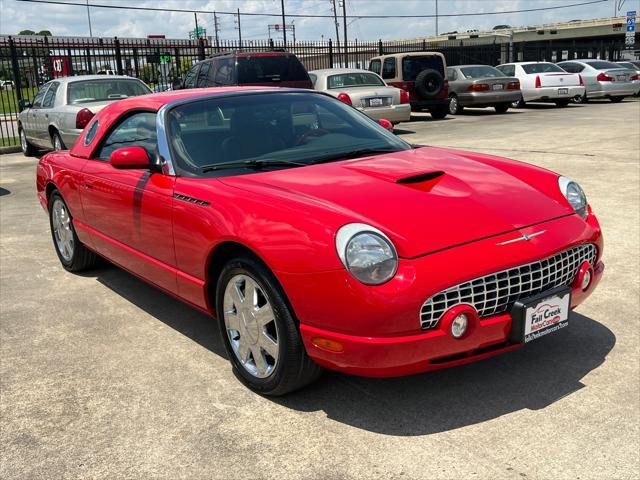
{"x": 86, "y": 91}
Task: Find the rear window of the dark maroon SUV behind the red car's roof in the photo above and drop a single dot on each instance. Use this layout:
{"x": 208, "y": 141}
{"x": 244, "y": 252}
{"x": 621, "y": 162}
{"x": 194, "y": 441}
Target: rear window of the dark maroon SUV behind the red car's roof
{"x": 270, "y": 69}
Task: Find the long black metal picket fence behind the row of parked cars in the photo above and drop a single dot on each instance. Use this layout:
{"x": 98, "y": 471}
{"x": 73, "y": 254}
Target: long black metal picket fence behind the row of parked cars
{"x": 27, "y": 62}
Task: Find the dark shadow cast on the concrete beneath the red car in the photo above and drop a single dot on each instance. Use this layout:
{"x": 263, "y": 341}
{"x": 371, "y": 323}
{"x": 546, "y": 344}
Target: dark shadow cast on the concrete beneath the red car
{"x": 533, "y": 377}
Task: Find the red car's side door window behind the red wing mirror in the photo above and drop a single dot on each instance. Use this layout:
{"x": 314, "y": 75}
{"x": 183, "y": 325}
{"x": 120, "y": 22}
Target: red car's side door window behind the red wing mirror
{"x": 138, "y": 130}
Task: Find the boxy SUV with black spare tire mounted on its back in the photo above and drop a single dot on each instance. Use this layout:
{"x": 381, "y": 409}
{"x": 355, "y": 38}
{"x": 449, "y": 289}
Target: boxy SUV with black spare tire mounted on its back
{"x": 422, "y": 74}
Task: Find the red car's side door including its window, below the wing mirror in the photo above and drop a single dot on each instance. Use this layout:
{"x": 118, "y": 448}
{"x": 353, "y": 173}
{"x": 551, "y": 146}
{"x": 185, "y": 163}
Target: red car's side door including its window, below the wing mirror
{"x": 129, "y": 212}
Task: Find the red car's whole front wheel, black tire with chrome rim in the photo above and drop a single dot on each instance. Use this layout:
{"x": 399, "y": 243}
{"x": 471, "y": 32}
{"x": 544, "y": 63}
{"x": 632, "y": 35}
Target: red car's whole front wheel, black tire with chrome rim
{"x": 259, "y": 330}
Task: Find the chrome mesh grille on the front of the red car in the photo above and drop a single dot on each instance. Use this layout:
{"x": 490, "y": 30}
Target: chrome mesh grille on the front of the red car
{"x": 497, "y": 292}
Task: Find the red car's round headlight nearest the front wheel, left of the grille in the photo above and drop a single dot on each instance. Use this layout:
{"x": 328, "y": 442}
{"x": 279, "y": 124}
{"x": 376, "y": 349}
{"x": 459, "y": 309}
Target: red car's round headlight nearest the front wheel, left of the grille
{"x": 367, "y": 253}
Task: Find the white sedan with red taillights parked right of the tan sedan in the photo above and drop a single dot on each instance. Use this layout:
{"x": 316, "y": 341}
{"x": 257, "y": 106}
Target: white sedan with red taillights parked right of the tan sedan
{"x": 544, "y": 82}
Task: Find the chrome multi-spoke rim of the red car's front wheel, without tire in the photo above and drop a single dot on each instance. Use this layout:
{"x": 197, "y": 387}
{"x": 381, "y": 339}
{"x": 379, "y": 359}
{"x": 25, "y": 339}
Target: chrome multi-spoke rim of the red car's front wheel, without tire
{"x": 250, "y": 325}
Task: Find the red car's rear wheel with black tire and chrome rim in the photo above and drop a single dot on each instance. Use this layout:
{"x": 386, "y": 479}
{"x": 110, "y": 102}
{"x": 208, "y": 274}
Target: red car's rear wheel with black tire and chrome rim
{"x": 72, "y": 253}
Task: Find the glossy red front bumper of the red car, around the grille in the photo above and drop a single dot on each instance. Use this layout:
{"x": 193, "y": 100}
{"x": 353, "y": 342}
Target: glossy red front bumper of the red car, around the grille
{"x": 379, "y": 327}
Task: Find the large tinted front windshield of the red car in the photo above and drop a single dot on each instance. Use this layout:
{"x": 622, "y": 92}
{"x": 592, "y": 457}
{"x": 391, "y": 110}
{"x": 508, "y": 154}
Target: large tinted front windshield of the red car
{"x": 244, "y": 133}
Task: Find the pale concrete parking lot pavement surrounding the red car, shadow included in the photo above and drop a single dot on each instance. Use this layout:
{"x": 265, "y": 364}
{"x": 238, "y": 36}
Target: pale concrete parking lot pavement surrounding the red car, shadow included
{"x": 103, "y": 376}
